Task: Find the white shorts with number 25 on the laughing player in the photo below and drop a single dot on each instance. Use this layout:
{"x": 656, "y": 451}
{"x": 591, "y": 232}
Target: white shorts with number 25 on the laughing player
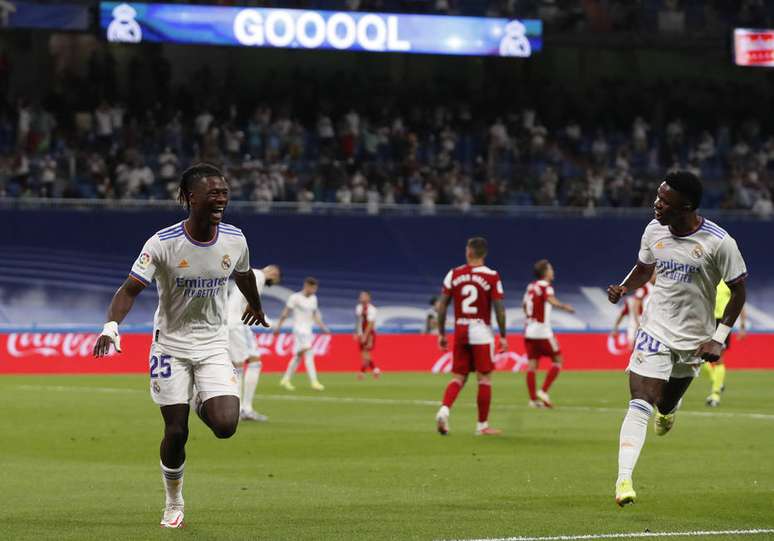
{"x": 172, "y": 378}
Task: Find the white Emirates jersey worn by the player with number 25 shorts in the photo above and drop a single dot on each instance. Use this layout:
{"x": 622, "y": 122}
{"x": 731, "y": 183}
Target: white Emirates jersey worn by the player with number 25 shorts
{"x": 192, "y": 281}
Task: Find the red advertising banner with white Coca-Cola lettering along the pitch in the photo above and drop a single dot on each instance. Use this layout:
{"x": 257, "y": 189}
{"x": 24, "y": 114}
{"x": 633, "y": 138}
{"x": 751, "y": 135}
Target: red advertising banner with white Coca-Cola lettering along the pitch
{"x": 65, "y": 352}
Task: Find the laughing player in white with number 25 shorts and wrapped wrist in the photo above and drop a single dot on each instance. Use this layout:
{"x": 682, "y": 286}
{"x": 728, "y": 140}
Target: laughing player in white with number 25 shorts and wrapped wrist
{"x": 191, "y": 262}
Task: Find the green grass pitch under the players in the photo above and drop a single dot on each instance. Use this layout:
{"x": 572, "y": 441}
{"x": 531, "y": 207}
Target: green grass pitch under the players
{"x": 79, "y": 460}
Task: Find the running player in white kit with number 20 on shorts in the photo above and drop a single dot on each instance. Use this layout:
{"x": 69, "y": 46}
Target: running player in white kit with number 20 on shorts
{"x": 690, "y": 255}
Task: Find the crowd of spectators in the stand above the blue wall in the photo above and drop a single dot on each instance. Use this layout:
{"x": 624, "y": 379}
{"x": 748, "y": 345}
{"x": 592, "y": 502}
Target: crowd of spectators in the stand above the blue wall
{"x": 424, "y": 156}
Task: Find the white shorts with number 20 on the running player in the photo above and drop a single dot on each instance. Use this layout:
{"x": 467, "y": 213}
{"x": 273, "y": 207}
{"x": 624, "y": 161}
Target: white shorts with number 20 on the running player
{"x": 652, "y": 359}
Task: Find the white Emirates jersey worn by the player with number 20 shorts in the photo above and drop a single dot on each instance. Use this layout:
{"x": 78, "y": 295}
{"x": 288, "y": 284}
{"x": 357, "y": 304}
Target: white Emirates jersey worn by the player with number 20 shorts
{"x": 680, "y": 312}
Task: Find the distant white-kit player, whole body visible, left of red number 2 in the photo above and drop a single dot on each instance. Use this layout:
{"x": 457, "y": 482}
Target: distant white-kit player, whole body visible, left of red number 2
{"x": 303, "y": 306}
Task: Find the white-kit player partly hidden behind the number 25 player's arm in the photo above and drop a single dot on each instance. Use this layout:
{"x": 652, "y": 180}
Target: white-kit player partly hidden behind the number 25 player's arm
{"x": 242, "y": 345}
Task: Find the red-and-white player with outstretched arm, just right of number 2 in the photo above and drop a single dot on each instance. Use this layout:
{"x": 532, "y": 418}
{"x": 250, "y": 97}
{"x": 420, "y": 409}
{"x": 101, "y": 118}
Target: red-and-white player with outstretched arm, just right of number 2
{"x": 539, "y": 339}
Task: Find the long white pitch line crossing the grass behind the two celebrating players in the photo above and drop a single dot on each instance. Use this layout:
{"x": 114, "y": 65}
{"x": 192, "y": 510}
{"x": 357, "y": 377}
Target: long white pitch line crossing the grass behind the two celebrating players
{"x": 396, "y": 401}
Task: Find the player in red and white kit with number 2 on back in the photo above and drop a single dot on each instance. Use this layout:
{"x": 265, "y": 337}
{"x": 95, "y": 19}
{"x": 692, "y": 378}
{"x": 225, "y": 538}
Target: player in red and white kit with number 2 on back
{"x": 475, "y": 289}
